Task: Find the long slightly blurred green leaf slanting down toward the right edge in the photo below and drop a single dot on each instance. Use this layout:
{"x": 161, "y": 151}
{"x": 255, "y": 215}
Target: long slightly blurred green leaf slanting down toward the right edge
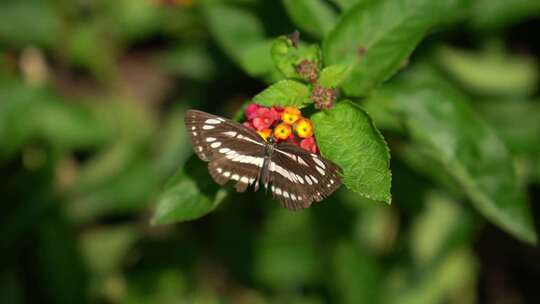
{"x": 439, "y": 118}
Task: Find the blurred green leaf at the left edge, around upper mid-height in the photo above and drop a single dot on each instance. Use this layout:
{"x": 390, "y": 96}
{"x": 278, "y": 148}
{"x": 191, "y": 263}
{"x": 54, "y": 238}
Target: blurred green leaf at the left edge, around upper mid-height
{"x": 27, "y": 114}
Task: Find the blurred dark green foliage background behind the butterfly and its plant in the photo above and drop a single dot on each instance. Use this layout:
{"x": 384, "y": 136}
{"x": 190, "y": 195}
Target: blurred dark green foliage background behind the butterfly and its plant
{"x": 92, "y": 96}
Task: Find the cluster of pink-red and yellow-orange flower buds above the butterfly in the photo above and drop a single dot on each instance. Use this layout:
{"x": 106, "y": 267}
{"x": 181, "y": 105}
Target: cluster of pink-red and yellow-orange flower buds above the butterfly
{"x": 283, "y": 124}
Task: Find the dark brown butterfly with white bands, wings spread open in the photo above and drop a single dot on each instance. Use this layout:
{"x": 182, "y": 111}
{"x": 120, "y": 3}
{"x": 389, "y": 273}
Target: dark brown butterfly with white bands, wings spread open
{"x": 236, "y": 153}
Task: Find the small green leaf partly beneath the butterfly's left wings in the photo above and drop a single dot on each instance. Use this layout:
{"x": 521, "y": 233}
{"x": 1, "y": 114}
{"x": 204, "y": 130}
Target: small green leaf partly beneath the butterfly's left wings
{"x": 191, "y": 194}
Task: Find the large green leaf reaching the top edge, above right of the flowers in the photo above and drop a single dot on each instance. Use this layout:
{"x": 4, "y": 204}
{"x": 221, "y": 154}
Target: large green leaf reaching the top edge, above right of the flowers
{"x": 376, "y": 38}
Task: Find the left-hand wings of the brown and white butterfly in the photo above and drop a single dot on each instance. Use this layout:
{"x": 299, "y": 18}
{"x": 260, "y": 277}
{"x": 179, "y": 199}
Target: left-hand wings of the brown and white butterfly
{"x": 234, "y": 151}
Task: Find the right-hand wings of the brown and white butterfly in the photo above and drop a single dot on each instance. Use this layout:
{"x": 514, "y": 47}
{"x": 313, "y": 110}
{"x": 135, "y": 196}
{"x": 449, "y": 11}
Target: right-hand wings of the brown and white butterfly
{"x": 299, "y": 177}
